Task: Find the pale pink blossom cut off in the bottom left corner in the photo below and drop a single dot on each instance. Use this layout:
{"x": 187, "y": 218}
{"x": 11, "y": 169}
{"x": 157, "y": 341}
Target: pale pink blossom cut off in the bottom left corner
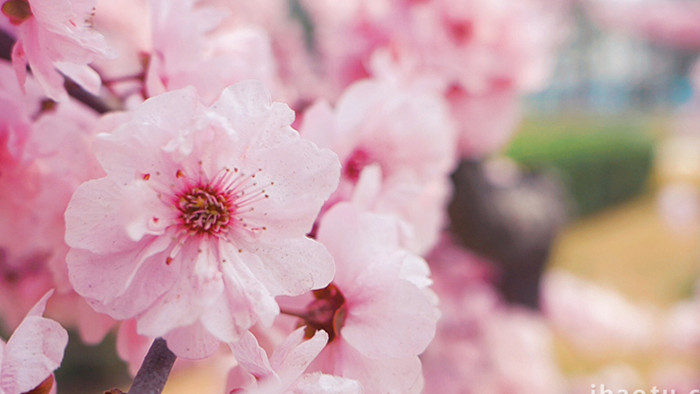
{"x": 32, "y": 353}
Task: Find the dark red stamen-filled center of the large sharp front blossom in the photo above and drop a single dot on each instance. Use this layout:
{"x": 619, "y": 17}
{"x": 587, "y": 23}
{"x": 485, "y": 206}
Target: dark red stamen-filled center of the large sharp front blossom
{"x": 205, "y": 210}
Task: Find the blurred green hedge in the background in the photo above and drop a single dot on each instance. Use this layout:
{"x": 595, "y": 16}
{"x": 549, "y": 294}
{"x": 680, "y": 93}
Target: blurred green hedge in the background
{"x": 602, "y": 161}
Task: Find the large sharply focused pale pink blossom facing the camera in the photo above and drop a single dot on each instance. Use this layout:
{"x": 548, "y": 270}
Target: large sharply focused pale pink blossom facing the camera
{"x": 213, "y": 202}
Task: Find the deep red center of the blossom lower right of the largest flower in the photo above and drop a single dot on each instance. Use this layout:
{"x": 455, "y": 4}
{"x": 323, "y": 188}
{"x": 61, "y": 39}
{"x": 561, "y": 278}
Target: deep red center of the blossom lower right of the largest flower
{"x": 327, "y": 312}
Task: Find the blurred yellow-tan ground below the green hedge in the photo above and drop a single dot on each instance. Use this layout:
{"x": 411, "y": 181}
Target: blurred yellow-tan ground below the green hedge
{"x": 629, "y": 248}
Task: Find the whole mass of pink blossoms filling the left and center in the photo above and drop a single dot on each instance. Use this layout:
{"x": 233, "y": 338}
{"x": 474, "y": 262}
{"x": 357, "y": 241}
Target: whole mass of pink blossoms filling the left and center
{"x": 153, "y": 176}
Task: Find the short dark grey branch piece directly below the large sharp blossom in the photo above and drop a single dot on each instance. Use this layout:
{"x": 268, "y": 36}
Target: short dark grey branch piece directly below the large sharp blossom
{"x": 151, "y": 377}
